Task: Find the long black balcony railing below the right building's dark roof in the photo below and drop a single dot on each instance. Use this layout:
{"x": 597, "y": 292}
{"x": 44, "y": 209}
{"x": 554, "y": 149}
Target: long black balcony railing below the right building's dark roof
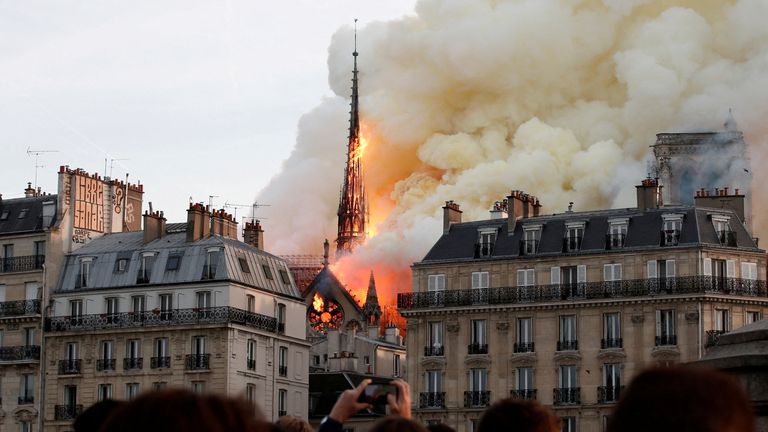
{"x": 584, "y": 291}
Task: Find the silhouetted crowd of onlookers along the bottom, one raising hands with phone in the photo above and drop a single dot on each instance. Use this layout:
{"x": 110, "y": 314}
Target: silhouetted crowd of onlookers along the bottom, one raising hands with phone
{"x": 679, "y": 399}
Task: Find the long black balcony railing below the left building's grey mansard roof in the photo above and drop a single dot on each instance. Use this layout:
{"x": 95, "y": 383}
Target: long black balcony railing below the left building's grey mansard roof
{"x": 178, "y": 317}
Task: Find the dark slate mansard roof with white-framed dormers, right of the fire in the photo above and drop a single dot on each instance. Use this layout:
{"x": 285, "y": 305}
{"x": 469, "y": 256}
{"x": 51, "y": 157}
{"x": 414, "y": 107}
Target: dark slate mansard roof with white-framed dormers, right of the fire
{"x": 643, "y": 232}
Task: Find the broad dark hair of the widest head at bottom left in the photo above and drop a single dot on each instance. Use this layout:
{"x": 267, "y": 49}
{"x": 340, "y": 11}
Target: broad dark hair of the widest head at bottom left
{"x": 178, "y": 409}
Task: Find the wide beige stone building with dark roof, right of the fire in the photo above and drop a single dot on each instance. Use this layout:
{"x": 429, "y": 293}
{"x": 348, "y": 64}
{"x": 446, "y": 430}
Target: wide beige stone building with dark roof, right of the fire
{"x": 567, "y": 308}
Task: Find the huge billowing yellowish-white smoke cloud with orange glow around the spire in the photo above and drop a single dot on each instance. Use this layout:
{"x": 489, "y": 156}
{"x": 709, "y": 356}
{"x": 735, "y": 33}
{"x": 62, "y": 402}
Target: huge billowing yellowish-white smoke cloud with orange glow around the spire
{"x": 466, "y": 100}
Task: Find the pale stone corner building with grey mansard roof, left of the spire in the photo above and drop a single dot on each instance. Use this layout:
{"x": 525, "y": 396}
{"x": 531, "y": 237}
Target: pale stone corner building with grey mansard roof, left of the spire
{"x": 175, "y": 305}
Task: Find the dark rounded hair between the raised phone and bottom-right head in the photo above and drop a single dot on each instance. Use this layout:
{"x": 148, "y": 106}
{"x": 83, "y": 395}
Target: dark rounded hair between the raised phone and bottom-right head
{"x": 522, "y": 415}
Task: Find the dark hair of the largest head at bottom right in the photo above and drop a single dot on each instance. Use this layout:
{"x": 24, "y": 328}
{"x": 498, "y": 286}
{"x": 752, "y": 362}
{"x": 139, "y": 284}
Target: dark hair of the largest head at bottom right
{"x": 683, "y": 399}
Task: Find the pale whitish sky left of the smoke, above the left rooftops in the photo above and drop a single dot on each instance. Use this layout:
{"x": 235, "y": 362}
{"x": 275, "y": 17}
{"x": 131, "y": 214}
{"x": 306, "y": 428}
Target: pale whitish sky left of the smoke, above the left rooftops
{"x": 191, "y": 98}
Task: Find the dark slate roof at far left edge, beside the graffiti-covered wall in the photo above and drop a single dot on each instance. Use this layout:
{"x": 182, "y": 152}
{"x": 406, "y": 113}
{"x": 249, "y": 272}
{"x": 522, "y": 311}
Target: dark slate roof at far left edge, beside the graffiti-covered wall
{"x": 30, "y": 221}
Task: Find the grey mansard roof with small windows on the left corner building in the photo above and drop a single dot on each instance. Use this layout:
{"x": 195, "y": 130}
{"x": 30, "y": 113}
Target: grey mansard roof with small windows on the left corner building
{"x": 108, "y": 249}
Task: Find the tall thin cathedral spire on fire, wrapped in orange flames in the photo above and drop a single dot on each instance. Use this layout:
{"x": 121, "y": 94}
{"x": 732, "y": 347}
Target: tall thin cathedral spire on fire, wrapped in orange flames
{"x": 353, "y": 212}
